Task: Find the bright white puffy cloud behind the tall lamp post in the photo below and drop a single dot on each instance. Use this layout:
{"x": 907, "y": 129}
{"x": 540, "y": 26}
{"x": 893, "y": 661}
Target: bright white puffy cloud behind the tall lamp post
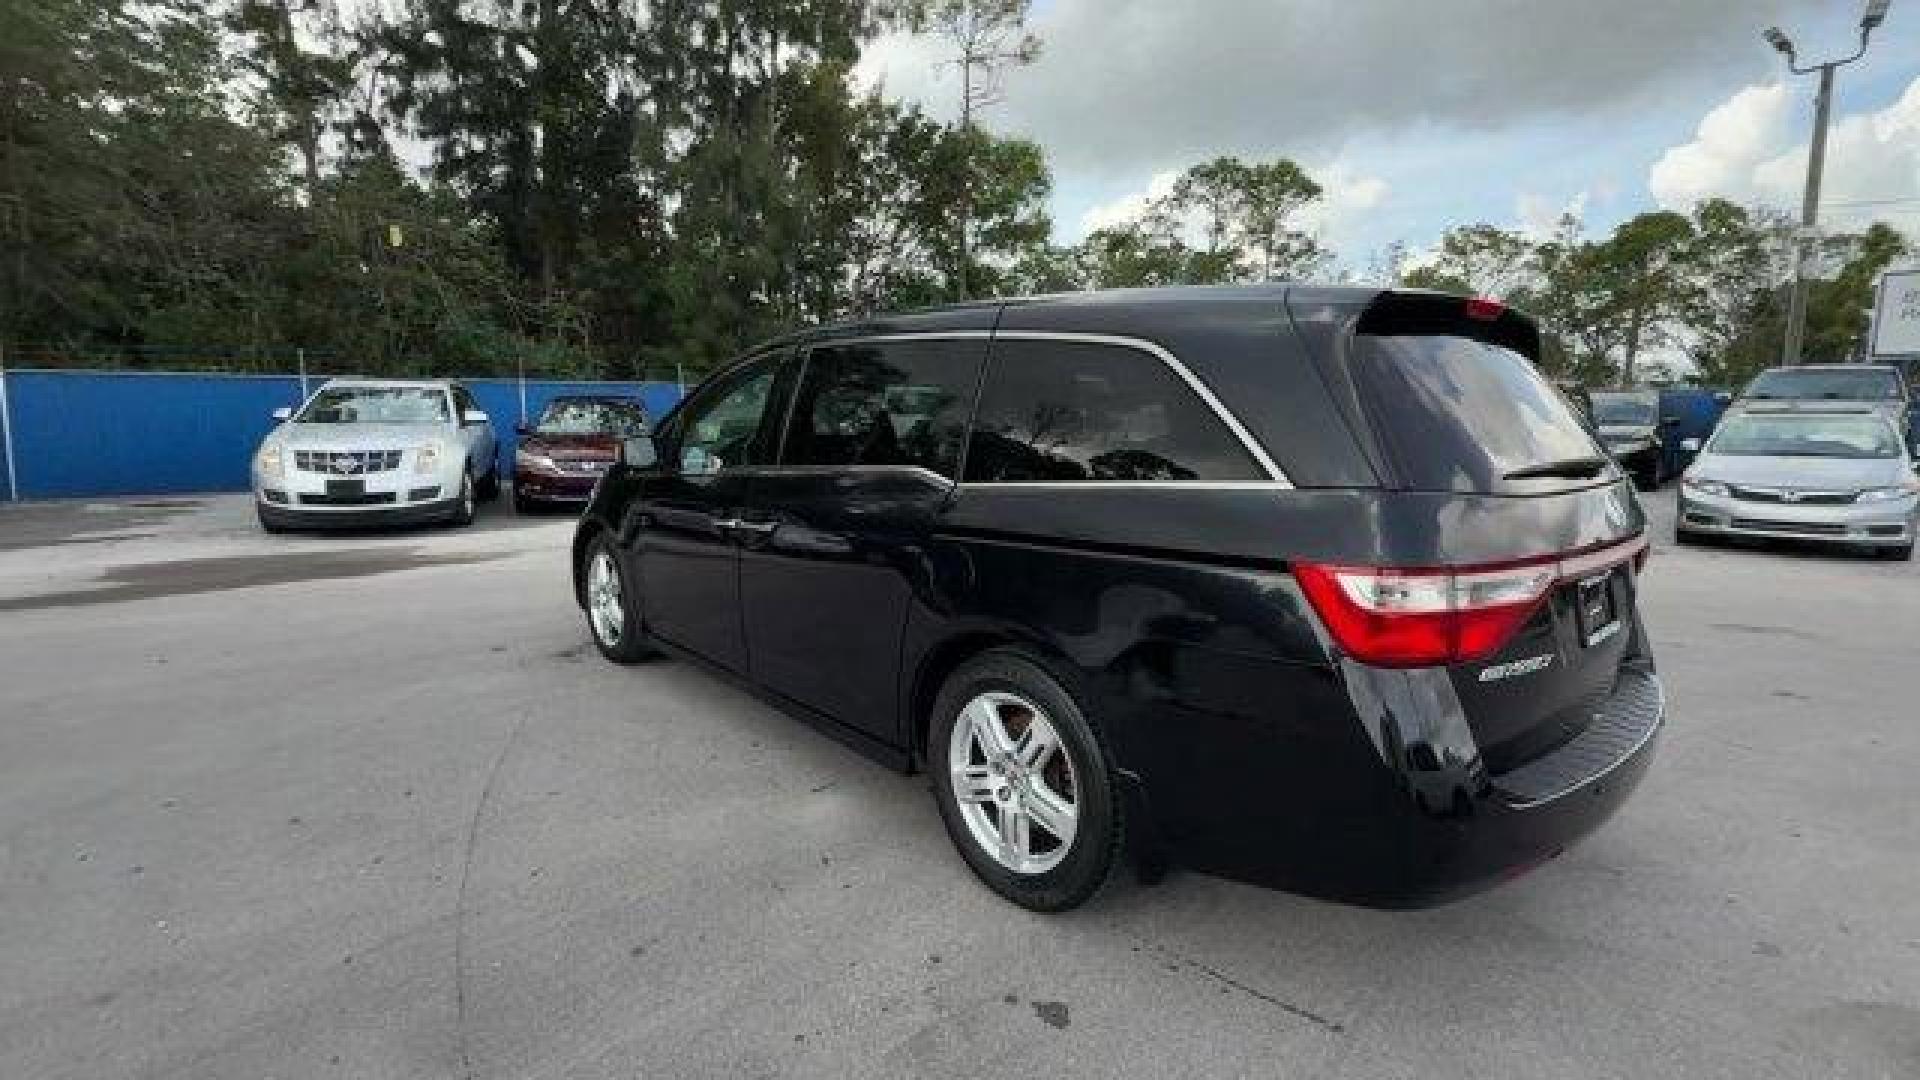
{"x": 1752, "y": 149}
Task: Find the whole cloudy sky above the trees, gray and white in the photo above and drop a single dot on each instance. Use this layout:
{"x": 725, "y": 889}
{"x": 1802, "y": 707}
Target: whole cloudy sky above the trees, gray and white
{"x": 1422, "y": 114}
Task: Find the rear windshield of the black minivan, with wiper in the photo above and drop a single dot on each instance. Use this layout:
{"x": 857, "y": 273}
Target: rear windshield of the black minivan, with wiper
{"x": 1466, "y": 416}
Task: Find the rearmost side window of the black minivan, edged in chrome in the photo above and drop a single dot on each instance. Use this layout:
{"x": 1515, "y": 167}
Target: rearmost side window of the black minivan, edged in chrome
{"x": 1070, "y": 412}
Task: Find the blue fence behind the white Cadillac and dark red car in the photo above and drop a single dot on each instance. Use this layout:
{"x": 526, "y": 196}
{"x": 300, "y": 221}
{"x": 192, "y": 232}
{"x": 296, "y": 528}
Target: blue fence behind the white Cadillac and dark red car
{"x": 133, "y": 433}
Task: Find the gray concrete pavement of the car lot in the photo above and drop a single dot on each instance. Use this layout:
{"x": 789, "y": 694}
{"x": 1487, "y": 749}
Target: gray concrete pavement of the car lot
{"x": 373, "y": 808}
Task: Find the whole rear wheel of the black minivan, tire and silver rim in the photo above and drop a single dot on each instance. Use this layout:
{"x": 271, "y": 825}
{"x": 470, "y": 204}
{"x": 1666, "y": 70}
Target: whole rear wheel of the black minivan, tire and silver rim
{"x": 1022, "y": 783}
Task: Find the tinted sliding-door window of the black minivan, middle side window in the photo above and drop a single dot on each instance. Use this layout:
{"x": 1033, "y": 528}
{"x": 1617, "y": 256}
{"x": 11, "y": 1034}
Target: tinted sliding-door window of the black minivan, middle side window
{"x": 886, "y": 405}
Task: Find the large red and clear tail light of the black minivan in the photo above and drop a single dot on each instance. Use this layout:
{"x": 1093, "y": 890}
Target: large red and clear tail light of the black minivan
{"x": 1428, "y": 618}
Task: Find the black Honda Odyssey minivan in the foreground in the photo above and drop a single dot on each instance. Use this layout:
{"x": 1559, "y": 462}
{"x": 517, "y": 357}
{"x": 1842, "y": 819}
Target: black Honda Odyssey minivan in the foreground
{"x": 1324, "y": 589}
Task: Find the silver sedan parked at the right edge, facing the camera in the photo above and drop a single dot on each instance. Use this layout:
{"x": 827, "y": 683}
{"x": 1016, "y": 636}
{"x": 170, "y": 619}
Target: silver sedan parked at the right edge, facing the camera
{"x": 1838, "y": 476}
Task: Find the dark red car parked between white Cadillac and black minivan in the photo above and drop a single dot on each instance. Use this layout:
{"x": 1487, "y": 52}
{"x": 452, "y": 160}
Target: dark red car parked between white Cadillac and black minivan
{"x": 567, "y": 451}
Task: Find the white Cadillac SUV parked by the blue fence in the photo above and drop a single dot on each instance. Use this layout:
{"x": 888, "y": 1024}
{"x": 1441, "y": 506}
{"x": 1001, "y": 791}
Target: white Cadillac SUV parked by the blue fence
{"x": 375, "y": 453}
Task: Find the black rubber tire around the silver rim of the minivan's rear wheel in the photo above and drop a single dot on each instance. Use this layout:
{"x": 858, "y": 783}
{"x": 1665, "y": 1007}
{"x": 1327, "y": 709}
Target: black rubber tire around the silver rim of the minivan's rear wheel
{"x": 1101, "y": 820}
